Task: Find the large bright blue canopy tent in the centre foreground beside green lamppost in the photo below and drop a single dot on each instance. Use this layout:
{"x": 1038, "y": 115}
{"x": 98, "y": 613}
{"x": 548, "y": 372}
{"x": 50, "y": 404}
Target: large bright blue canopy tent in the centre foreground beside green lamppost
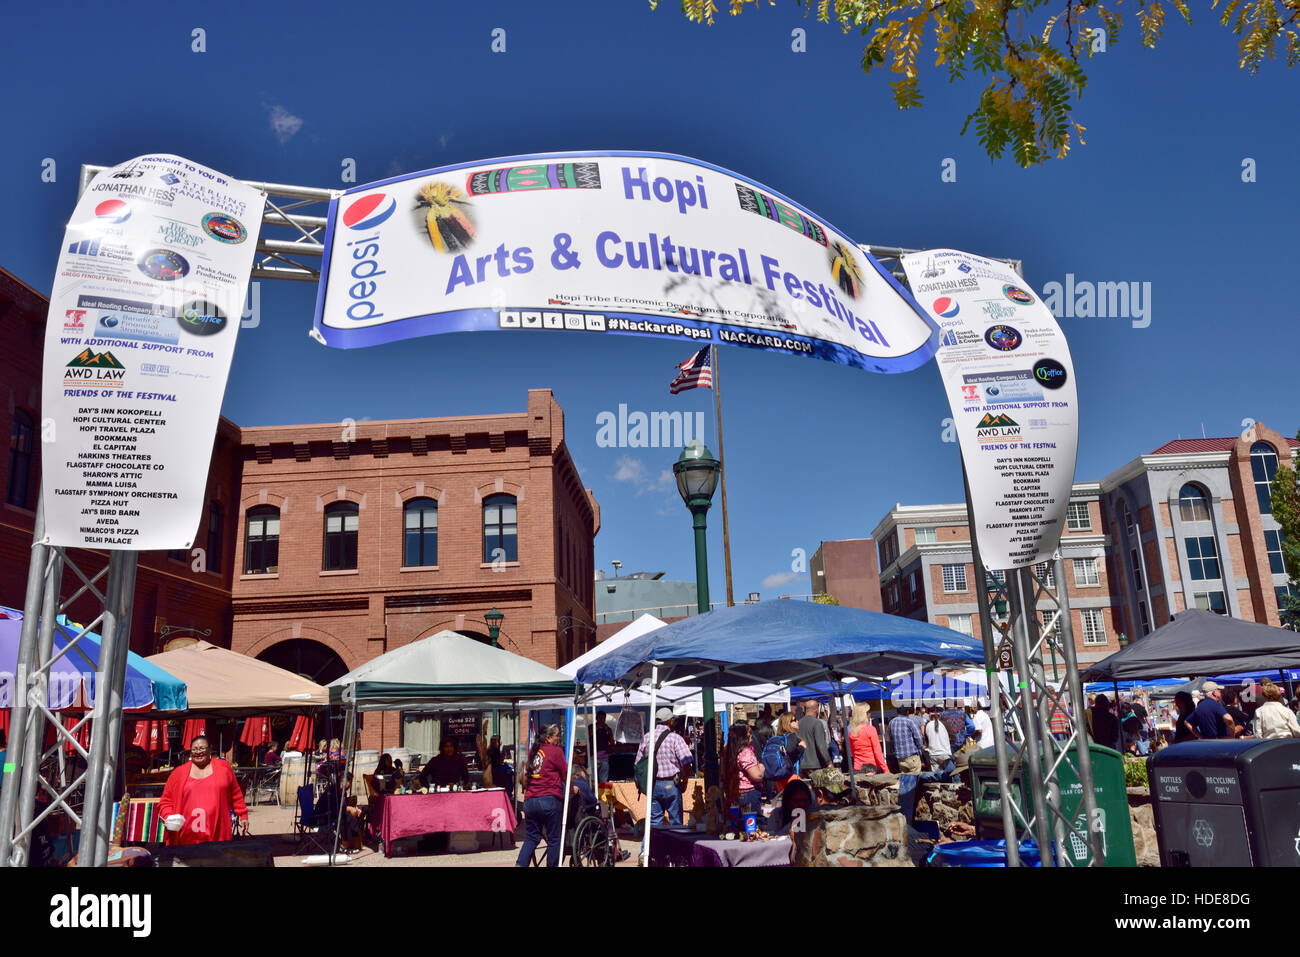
{"x": 786, "y": 642}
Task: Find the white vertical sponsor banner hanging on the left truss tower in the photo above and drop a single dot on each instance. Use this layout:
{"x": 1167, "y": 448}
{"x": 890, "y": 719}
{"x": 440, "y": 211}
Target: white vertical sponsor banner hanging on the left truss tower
{"x": 142, "y": 327}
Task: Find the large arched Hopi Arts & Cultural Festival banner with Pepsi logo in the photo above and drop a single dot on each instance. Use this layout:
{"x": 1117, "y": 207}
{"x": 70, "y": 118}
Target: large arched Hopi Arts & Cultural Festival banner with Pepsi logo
{"x": 610, "y": 244}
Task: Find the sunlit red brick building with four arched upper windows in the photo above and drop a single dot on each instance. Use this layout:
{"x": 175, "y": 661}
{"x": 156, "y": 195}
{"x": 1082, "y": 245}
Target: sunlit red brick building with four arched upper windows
{"x": 387, "y": 532}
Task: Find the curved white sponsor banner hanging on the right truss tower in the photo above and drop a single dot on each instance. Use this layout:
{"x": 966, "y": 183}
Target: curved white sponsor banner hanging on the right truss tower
{"x": 1016, "y": 406}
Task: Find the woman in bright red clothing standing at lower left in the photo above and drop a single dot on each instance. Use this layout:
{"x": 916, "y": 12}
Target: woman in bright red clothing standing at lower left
{"x": 200, "y": 798}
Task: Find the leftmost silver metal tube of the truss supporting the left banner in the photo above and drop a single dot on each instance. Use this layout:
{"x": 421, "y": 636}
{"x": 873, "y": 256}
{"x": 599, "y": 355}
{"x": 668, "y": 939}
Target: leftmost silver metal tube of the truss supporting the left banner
{"x": 37, "y": 570}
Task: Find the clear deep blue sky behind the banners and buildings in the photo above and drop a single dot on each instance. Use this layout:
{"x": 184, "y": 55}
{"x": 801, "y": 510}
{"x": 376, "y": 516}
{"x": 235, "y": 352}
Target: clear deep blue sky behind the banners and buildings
{"x": 816, "y": 452}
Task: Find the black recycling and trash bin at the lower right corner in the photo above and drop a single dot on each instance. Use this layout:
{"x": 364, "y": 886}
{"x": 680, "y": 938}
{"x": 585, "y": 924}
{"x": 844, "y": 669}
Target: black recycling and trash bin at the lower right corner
{"x": 1228, "y": 804}
